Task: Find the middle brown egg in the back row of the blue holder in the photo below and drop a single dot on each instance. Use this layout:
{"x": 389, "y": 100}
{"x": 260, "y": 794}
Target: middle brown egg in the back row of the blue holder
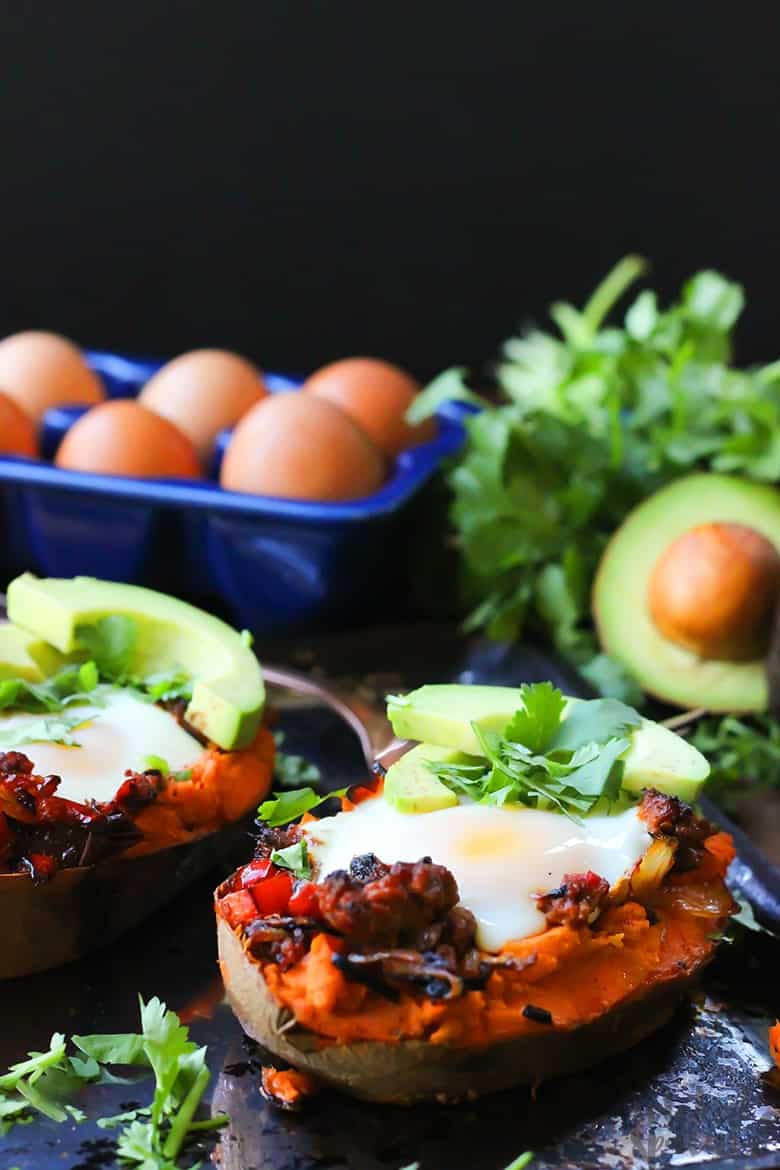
{"x": 203, "y": 393}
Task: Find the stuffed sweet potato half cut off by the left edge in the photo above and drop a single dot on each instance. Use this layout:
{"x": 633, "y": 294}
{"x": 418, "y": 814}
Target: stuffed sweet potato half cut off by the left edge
{"x": 130, "y": 754}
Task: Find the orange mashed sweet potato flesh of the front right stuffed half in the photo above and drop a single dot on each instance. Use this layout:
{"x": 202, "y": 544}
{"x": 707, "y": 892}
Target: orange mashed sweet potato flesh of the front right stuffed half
{"x": 578, "y": 974}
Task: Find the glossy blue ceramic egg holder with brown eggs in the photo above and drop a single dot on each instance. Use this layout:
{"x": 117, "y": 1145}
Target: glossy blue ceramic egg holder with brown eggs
{"x": 275, "y": 566}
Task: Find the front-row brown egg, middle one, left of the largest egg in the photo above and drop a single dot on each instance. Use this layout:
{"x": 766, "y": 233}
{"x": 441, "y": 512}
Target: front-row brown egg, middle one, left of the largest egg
{"x": 122, "y": 438}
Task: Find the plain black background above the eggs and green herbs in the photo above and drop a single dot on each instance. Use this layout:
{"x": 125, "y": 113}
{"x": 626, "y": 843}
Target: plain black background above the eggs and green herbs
{"x": 302, "y": 181}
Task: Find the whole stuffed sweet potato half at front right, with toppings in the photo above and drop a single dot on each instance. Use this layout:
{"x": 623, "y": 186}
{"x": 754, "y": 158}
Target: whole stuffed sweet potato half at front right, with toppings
{"x": 467, "y": 925}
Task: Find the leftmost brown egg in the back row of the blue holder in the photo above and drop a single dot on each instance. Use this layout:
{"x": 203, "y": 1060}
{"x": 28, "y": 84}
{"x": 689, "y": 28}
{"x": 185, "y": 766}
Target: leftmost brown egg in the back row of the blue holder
{"x": 40, "y": 370}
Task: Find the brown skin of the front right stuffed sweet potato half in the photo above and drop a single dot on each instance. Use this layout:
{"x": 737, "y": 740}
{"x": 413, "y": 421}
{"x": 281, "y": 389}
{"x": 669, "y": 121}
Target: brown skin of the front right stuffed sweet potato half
{"x": 413, "y": 1071}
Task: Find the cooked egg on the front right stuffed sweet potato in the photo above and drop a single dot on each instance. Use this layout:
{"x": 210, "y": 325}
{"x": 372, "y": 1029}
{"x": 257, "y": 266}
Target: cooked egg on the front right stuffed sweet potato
{"x": 500, "y": 857}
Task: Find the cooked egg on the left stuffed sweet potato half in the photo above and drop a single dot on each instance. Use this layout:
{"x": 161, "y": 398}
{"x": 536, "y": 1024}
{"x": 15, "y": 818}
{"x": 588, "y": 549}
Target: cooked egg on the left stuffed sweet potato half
{"x": 113, "y": 738}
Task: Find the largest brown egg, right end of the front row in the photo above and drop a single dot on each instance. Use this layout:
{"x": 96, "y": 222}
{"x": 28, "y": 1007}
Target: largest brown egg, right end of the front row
{"x": 305, "y": 449}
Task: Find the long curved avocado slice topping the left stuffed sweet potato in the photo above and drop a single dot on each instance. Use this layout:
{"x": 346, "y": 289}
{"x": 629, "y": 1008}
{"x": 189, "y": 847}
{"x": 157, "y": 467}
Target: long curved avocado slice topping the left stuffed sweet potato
{"x": 229, "y": 693}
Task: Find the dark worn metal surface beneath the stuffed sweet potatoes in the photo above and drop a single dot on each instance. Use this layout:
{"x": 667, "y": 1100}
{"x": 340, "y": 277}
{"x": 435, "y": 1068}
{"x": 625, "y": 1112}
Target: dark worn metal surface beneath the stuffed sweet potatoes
{"x": 692, "y": 1096}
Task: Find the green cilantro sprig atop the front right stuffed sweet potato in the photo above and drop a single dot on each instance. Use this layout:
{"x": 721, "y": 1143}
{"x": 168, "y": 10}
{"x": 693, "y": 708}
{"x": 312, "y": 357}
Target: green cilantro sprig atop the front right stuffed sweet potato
{"x": 547, "y": 761}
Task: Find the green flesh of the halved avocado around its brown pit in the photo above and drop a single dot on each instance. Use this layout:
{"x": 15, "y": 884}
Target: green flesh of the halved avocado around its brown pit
{"x": 620, "y": 594}
